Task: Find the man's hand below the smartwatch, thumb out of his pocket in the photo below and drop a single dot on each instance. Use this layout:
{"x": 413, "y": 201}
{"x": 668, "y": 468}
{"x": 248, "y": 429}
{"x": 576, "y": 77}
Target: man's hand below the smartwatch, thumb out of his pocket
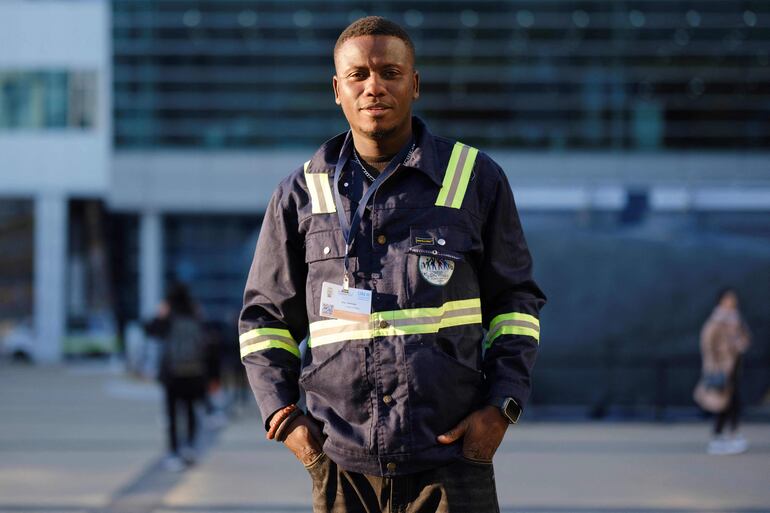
{"x": 482, "y": 432}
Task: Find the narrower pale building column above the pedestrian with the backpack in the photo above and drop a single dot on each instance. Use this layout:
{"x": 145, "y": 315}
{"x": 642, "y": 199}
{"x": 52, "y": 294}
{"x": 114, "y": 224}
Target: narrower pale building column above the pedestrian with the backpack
{"x": 150, "y": 263}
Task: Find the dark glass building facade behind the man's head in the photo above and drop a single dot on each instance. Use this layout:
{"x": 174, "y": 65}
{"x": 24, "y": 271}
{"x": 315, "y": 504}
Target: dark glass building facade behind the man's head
{"x": 594, "y": 74}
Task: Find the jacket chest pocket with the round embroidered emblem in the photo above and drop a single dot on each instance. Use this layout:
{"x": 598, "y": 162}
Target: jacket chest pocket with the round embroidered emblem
{"x": 439, "y": 267}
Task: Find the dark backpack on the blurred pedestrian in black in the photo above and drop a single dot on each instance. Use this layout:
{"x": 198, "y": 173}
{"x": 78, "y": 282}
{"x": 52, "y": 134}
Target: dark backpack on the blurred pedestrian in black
{"x": 185, "y": 349}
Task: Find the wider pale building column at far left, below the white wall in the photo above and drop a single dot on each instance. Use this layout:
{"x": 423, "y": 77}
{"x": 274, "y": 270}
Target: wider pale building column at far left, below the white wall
{"x": 51, "y": 230}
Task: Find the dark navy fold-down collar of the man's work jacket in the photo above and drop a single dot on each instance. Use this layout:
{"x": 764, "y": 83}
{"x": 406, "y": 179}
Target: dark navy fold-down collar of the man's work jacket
{"x": 424, "y": 157}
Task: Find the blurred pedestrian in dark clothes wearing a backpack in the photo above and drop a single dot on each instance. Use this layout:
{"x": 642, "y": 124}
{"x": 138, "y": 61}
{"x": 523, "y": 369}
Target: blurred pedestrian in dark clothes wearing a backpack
{"x": 182, "y": 369}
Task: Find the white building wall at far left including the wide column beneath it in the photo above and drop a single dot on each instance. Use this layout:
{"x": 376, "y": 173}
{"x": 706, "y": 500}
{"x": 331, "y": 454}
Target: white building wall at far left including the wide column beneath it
{"x": 53, "y": 165}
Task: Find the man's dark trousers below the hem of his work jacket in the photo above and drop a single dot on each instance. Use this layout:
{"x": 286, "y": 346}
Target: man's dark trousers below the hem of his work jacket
{"x": 463, "y": 486}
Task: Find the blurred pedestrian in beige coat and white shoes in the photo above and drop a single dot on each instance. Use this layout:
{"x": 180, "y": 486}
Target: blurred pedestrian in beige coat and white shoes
{"x": 724, "y": 339}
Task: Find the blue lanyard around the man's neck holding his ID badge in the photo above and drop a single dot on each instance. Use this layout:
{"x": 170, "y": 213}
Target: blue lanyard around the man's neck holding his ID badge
{"x": 349, "y": 229}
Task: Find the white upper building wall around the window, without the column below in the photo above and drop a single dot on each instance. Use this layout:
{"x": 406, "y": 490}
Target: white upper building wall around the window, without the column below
{"x": 57, "y": 35}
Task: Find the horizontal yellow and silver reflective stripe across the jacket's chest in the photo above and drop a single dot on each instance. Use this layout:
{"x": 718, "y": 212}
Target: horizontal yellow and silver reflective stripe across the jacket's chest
{"x": 412, "y": 321}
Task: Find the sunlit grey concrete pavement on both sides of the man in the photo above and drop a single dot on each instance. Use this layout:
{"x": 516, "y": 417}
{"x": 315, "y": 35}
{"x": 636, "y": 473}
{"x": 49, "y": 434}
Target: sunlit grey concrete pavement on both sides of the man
{"x": 87, "y": 438}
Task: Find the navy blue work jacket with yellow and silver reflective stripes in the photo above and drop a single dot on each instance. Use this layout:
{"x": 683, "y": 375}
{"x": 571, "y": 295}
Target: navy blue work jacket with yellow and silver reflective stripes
{"x": 454, "y": 322}
